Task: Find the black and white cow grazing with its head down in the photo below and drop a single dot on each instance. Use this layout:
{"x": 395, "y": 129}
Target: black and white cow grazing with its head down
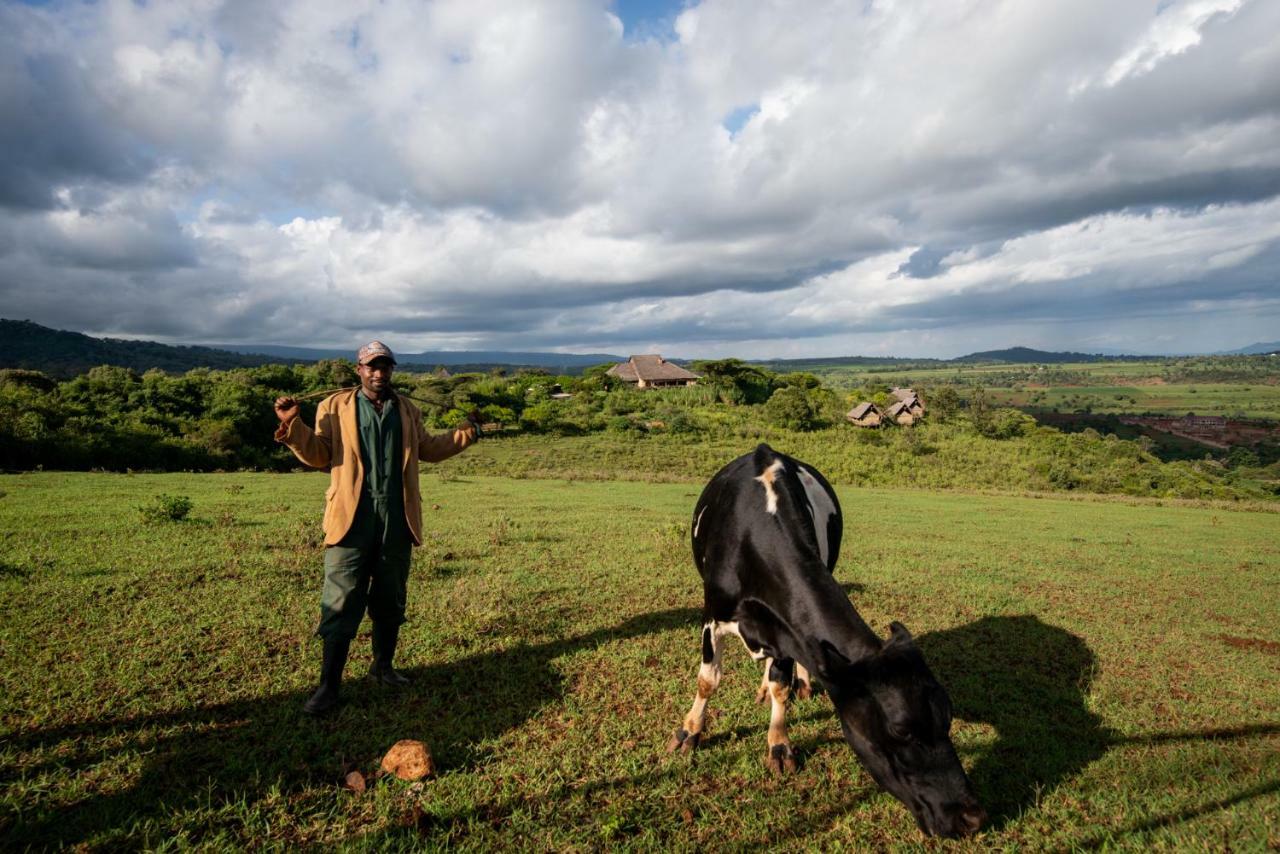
{"x": 766, "y": 536}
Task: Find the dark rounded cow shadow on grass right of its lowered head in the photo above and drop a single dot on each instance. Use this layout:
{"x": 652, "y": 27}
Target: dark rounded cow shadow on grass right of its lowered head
{"x": 1030, "y": 682}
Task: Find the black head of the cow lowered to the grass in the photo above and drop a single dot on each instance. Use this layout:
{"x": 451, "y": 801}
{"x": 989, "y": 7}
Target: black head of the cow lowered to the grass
{"x": 898, "y": 720}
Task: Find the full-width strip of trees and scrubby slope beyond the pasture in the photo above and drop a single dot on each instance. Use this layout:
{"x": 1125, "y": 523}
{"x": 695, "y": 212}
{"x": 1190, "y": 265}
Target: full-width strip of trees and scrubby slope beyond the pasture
{"x": 118, "y": 419}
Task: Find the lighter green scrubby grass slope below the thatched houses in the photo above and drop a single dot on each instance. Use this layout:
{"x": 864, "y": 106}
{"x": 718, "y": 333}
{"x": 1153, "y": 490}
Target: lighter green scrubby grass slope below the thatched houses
{"x": 929, "y": 456}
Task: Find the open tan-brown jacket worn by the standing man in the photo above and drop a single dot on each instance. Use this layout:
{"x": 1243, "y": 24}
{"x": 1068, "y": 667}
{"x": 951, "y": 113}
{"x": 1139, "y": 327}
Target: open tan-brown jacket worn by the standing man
{"x": 335, "y": 445}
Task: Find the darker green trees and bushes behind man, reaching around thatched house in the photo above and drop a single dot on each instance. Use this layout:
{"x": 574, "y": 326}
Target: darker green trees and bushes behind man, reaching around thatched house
{"x": 116, "y": 418}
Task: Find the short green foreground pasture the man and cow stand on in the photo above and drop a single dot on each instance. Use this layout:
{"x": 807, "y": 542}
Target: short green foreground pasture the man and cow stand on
{"x": 1114, "y": 666}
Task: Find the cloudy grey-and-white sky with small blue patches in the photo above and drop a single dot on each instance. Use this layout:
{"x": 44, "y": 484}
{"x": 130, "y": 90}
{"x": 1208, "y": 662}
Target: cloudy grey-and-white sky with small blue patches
{"x": 753, "y": 179}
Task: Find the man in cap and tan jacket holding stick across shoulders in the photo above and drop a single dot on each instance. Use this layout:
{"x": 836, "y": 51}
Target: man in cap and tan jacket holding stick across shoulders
{"x": 371, "y": 440}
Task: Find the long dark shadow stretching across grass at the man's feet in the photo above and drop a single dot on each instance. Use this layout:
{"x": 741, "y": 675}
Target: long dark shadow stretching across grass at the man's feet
{"x": 245, "y": 750}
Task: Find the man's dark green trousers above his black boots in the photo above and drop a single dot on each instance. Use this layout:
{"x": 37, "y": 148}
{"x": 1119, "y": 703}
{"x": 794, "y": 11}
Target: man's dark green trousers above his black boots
{"x": 369, "y": 569}
